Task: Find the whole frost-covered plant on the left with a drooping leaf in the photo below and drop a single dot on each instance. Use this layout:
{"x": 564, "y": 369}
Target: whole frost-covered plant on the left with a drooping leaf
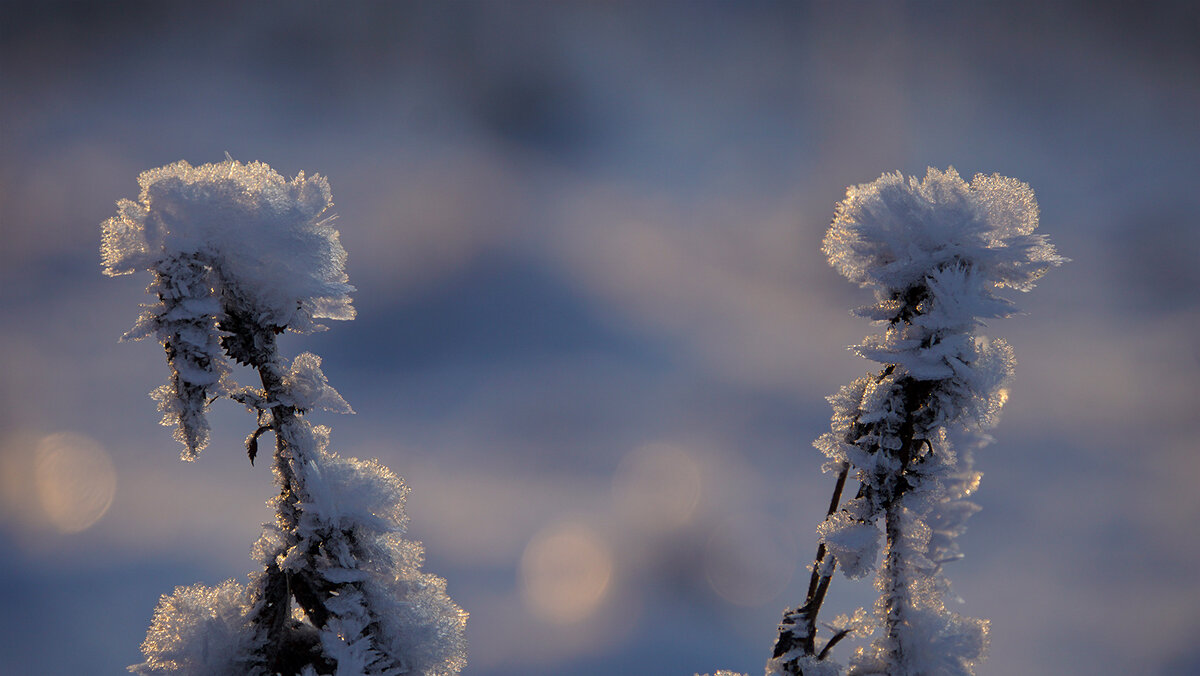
{"x": 239, "y": 255}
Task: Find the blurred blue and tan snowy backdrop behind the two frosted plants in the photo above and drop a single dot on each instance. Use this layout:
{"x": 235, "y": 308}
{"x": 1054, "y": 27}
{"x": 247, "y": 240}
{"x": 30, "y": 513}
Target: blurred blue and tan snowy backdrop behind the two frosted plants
{"x": 596, "y": 330}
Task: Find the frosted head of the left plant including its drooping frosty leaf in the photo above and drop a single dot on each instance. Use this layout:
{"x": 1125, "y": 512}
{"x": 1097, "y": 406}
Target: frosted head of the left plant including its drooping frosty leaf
{"x": 211, "y": 234}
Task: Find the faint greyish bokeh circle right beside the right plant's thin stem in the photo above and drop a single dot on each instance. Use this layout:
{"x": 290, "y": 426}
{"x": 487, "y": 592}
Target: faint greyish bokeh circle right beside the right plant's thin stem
{"x": 751, "y": 559}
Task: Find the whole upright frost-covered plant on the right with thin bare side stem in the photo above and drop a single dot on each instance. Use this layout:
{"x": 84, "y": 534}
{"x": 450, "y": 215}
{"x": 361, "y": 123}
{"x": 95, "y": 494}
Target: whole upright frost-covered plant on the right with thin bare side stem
{"x": 935, "y": 252}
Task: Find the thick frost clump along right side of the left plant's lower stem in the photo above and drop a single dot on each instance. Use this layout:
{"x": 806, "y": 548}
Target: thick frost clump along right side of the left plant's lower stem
{"x": 352, "y": 512}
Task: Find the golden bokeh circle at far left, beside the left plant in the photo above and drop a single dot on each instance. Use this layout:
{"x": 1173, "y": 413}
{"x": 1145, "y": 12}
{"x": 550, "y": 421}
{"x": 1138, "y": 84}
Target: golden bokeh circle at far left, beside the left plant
{"x": 75, "y": 481}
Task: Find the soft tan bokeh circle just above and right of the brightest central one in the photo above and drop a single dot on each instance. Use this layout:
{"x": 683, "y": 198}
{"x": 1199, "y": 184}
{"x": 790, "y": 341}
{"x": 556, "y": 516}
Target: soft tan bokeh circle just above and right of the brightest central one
{"x": 657, "y": 487}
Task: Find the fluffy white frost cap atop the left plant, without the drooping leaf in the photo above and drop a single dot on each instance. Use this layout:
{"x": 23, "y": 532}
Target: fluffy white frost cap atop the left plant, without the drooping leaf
{"x": 268, "y": 237}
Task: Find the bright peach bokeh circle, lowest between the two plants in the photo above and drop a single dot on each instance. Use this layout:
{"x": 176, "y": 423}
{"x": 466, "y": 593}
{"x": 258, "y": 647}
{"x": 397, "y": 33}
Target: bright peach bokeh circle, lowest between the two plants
{"x": 566, "y": 573}
